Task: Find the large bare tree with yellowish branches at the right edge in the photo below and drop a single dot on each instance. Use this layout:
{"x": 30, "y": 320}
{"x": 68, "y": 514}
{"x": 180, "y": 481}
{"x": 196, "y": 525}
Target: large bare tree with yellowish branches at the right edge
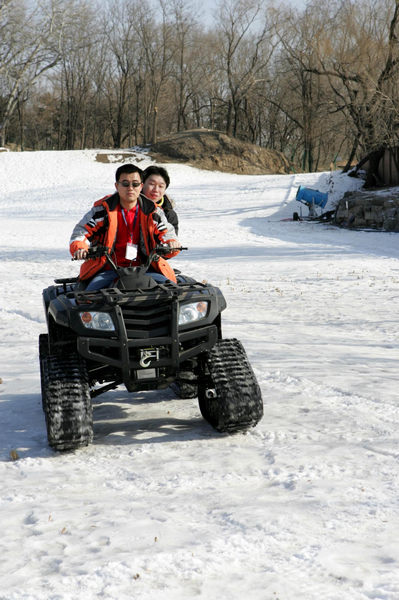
{"x": 355, "y": 48}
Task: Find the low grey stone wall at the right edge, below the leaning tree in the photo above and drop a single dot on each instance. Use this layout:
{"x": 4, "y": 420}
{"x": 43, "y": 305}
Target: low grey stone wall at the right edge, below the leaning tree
{"x": 374, "y": 210}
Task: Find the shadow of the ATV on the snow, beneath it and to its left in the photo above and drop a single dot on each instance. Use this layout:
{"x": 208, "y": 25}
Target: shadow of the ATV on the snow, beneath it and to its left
{"x": 118, "y": 419}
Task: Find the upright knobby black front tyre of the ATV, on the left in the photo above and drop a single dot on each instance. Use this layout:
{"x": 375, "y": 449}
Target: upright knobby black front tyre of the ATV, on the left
{"x": 67, "y": 402}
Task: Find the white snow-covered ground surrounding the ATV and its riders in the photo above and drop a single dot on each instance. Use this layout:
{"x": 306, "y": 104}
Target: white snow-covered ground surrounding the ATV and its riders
{"x": 303, "y": 507}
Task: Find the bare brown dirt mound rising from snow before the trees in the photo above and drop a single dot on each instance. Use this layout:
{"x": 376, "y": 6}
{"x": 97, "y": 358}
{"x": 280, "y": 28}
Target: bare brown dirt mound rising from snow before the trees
{"x": 216, "y": 151}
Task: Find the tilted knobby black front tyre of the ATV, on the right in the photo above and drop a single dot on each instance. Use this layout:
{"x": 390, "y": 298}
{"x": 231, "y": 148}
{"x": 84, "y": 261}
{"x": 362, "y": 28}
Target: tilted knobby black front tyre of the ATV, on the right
{"x": 229, "y": 395}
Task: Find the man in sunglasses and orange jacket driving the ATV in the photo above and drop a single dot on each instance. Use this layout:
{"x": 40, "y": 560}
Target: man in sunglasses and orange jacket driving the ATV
{"x": 128, "y": 223}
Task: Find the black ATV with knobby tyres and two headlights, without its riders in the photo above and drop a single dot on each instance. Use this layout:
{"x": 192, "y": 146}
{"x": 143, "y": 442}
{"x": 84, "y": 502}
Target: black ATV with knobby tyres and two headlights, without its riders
{"x": 146, "y": 336}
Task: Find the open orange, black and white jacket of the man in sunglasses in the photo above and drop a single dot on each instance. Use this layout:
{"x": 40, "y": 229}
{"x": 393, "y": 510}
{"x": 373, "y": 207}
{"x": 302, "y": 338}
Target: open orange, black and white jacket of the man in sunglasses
{"x": 100, "y": 226}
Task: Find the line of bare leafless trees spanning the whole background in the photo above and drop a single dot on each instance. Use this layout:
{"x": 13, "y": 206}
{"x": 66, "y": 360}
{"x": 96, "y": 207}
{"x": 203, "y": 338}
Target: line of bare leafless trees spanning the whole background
{"x": 314, "y": 83}
